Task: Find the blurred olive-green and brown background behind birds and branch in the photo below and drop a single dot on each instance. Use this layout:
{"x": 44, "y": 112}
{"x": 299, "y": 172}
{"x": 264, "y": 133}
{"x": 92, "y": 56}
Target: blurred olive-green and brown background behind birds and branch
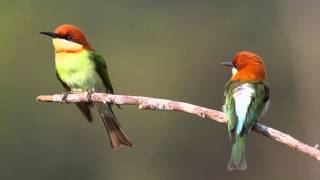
{"x": 165, "y": 49}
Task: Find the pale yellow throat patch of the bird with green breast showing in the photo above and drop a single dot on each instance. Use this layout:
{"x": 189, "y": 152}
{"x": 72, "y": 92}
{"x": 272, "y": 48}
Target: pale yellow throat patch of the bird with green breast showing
{"x": 64, "y": 45}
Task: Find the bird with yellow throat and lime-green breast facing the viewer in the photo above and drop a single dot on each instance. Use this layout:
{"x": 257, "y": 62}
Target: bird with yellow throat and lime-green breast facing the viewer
{"x": 80, "y": 68}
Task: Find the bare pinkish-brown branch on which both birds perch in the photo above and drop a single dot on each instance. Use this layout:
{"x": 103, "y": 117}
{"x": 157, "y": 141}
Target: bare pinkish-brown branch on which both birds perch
{"x": 169, "y": 105}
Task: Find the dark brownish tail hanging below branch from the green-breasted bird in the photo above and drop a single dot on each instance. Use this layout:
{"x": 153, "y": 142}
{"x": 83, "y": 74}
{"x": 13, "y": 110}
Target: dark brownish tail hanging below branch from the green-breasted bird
{"x": 117, "y": 136}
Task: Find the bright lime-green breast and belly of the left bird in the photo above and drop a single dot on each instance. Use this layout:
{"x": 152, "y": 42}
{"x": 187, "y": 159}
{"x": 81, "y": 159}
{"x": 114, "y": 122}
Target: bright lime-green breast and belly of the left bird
{"x": 77, "y": 71}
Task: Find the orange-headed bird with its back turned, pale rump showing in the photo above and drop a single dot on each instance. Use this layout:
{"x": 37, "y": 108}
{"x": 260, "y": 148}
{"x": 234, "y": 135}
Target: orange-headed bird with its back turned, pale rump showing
{"x": 246, "y": 101}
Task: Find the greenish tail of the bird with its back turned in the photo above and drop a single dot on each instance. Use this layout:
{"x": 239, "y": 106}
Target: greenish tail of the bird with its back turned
{"x": 238, "y": 158}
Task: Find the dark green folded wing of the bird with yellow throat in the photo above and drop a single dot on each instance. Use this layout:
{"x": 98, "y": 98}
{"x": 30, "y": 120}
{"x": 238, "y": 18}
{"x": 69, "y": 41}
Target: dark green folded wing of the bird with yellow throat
{"x": 101, "y": 69}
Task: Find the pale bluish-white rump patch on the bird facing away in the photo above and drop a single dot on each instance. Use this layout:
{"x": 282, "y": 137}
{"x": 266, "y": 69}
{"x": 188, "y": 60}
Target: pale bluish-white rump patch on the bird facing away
{"x": 242, "y": 97}
